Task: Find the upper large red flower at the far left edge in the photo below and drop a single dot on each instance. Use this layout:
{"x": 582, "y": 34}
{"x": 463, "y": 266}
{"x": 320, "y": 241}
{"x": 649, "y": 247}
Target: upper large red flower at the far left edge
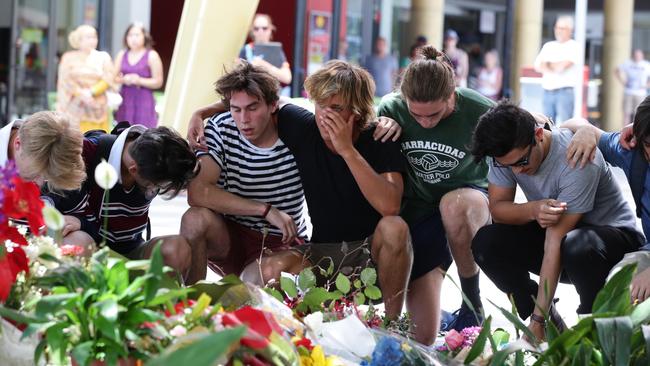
{"x": 24, "y": 202}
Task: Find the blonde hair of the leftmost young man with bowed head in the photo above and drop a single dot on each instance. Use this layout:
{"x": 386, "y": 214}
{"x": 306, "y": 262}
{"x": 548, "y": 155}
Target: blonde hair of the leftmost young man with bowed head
{"x": 54, "y": 148}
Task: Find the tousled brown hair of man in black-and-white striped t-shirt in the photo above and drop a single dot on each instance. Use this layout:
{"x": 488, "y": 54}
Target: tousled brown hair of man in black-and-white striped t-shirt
{"x": 253, "y": 80}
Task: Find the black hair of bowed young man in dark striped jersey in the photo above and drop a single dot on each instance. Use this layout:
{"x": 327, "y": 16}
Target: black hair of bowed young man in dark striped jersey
{"x": 165, "y": 159}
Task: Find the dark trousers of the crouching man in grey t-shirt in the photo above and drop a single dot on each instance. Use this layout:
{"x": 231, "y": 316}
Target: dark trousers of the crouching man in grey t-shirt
{"x": 507, "y": 253}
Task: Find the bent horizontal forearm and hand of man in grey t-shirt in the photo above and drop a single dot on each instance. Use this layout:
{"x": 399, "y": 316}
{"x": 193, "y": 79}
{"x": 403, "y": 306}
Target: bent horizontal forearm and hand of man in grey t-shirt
{"x": 504, "y": 210}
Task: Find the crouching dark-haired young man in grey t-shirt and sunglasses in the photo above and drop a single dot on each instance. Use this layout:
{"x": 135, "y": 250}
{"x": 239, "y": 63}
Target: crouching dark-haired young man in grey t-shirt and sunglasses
{"x": 574, "y": 228}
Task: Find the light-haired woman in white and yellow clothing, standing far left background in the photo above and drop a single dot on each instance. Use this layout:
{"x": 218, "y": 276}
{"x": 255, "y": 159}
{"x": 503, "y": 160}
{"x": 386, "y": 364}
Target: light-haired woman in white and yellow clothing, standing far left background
{"x": 85, "y": 76}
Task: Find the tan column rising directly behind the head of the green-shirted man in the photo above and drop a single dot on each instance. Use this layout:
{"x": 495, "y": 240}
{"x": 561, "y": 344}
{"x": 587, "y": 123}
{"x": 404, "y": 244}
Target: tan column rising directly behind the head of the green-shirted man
{"x": 428, "y": 19}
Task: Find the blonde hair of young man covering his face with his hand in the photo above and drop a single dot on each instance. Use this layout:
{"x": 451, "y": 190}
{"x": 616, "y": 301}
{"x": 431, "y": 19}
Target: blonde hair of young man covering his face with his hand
{"x": 352, "y": 83}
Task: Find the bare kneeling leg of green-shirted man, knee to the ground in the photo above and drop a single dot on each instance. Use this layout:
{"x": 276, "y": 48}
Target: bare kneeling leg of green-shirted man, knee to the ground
{"x": 423, "y": 303}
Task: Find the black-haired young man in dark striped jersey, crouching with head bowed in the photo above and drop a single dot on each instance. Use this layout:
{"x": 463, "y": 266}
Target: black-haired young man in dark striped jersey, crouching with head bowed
{"x": 147, "y": 162}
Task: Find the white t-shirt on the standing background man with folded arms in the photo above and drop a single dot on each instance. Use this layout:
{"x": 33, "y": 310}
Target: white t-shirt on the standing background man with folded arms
{"x": 555, "y": 51}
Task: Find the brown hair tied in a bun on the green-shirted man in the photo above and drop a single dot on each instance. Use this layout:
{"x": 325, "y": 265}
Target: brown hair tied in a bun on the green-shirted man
{"x": 429, "y": 78}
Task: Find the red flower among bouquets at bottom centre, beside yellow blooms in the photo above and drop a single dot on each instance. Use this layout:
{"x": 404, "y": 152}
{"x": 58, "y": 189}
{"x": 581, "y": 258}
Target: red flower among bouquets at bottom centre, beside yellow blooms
{"x": 260, "y": 326}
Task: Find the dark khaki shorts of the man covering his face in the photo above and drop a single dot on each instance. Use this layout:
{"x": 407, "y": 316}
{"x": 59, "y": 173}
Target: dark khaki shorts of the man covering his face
{"x": 347, "y": 257}
